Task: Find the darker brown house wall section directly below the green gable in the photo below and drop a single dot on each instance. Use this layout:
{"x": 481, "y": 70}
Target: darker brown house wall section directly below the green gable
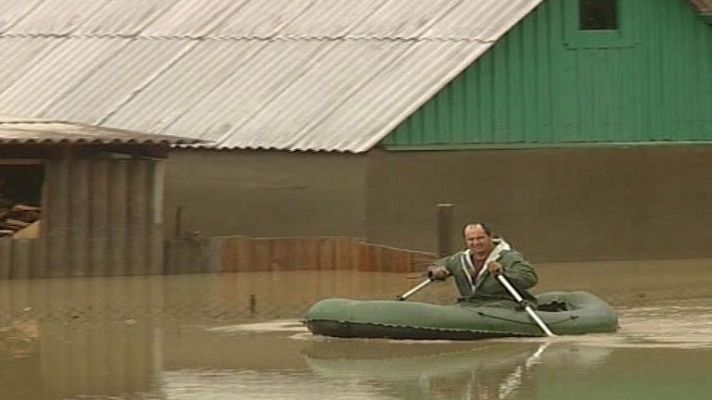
{"x": 555, "y": 204}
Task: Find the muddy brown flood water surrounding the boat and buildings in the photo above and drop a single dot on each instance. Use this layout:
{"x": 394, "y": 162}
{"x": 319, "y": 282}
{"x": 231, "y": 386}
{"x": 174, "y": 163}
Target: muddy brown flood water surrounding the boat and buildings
{"x": 239, "y": 336}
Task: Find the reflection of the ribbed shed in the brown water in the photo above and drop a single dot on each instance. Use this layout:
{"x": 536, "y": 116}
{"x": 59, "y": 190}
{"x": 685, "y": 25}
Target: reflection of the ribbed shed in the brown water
{"x": 61, "y": 342}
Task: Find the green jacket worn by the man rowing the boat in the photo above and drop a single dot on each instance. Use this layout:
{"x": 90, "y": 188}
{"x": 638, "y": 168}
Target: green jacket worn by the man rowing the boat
{"x": 486, "y": 287}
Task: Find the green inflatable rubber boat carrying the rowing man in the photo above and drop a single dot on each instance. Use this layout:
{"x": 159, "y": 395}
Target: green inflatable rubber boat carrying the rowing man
{"x": 570, "y": 313}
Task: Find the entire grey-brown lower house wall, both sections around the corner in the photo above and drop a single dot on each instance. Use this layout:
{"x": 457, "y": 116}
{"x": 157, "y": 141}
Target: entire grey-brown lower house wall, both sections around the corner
{"x": 553, "y": 204}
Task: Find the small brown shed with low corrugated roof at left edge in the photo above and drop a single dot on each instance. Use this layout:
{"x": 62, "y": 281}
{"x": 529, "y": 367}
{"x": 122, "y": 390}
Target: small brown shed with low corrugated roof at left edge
{"x": 80, "y": 200}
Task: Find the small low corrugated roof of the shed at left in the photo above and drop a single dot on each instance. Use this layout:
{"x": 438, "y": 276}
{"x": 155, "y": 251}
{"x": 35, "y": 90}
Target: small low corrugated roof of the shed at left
{"x": 28, "y": 131}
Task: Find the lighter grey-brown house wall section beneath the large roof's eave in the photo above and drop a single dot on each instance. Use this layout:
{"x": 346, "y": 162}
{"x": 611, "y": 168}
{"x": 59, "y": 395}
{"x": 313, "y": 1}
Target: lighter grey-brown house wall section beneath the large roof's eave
{"x": 265, "y": 193}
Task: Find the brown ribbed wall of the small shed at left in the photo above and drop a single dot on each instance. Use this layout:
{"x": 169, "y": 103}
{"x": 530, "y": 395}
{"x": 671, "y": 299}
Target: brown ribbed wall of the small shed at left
{"x": 99, "y": 216}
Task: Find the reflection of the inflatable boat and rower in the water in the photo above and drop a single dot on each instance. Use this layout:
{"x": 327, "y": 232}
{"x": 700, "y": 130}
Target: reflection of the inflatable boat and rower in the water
{"x": 428, "y": 371}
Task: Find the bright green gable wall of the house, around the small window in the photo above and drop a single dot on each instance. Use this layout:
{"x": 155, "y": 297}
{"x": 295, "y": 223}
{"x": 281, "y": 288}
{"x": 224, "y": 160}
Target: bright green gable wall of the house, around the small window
{"x": 546, "y": 84}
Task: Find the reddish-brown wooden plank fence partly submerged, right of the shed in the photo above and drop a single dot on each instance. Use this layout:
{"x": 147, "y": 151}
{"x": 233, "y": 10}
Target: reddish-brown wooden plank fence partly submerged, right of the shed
{"x": 241, "y": 254}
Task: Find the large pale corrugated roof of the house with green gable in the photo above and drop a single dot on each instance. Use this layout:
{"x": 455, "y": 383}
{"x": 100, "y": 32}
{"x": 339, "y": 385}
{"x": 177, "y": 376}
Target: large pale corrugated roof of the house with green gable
{"x": 334, "y": 75}
